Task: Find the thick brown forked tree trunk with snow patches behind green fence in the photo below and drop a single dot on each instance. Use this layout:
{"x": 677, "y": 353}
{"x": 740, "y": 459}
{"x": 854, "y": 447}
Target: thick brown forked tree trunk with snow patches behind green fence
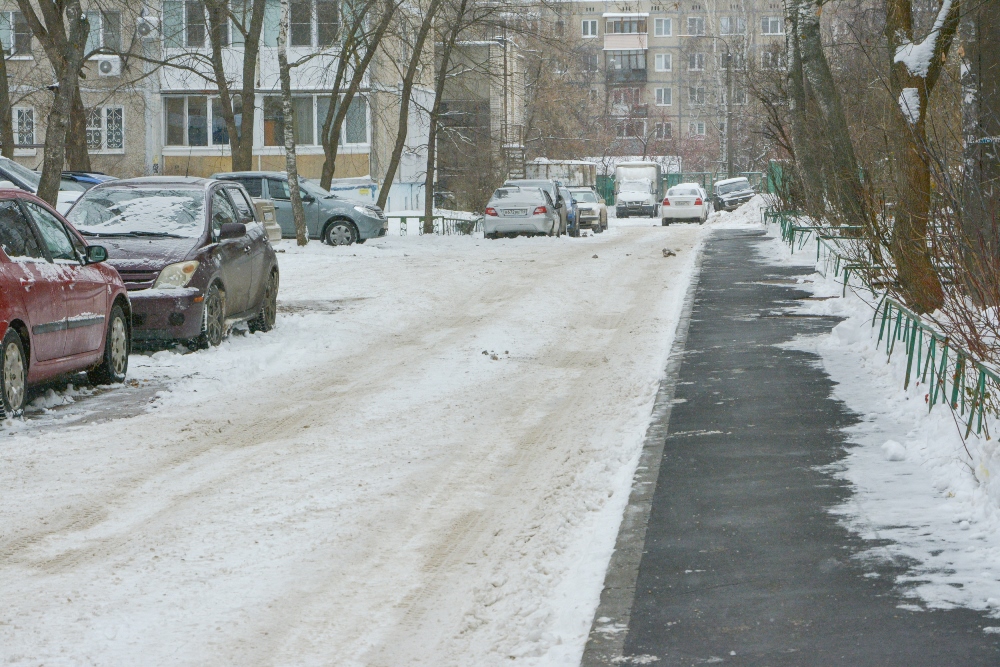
{"x": 911, "y": 83}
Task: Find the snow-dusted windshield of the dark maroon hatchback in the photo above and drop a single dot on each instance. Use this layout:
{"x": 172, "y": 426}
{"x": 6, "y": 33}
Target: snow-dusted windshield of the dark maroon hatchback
{"x": 140, "y": 212}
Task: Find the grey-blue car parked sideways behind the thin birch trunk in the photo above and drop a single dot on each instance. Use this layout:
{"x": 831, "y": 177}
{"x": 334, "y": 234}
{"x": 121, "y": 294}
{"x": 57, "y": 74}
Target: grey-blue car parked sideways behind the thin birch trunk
{"x": 335, "y": 220}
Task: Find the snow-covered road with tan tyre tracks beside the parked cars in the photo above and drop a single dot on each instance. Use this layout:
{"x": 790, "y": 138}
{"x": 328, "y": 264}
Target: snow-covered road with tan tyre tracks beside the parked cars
{"x": 424, "y": 464}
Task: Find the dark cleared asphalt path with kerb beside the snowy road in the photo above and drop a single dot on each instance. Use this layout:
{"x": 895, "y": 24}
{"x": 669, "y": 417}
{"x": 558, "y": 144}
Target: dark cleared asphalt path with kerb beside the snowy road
{"x": 732, "y": 556}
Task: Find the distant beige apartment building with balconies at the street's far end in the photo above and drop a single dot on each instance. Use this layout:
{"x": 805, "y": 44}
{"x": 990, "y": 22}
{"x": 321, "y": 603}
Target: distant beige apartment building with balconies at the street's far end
{"x": 663, "y": 70}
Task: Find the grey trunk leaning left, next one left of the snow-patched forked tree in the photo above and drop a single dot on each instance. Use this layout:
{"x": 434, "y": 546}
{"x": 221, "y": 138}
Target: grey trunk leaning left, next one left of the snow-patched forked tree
{"x": 844, "y": 188}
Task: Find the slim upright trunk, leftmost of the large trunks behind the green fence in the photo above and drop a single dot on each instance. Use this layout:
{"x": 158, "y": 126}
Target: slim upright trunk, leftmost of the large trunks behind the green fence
{"x": 804, "y": 147}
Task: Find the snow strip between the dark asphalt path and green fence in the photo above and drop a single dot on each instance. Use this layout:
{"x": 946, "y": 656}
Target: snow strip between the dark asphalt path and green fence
{"x": 917, "y": 484}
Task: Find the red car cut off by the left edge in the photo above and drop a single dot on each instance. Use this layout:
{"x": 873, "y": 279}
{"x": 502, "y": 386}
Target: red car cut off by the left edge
{"x": 61, "y": 310}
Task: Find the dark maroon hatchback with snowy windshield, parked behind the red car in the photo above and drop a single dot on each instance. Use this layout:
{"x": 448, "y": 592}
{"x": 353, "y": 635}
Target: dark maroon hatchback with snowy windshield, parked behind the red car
{"x": 191, "y": 252}
